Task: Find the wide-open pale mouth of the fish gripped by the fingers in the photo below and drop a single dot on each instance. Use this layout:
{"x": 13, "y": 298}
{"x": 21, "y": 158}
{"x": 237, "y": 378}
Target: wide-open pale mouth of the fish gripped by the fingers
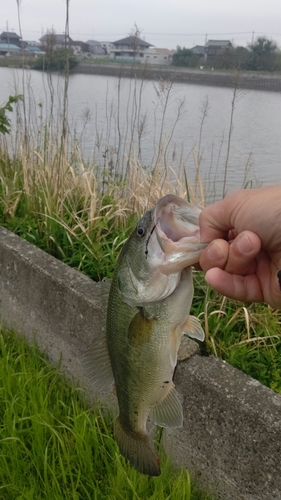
{"x": 177, "y": 232}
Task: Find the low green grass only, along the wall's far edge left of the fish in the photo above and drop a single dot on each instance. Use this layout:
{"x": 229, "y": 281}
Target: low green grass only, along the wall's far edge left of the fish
{"x": 93, "y": 251}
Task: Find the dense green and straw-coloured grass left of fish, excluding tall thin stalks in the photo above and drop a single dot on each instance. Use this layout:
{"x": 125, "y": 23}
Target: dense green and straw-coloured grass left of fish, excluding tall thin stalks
{"x": 72, "y": 220}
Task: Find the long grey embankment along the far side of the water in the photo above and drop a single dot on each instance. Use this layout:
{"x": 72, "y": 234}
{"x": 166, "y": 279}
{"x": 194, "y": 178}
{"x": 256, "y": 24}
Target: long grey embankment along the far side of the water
{"x": 245, "y": 80}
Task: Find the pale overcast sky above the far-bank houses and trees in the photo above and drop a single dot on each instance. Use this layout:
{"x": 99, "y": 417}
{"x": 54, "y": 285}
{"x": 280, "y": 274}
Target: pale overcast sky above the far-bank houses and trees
{"x": 163, "y": 23}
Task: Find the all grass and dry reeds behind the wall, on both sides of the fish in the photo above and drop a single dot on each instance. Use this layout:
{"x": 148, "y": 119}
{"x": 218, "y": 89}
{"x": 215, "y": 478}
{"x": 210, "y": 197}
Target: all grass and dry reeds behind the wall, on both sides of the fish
{"x": 81, "y": 213}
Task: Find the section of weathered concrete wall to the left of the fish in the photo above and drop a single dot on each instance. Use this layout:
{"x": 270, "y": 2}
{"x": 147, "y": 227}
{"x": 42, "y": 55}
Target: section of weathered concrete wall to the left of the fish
{"x": 43, "y": 298}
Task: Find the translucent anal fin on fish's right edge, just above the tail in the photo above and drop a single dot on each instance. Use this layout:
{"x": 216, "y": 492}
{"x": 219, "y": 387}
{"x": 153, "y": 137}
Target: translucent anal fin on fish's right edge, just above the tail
{"x": 168, "y": 412}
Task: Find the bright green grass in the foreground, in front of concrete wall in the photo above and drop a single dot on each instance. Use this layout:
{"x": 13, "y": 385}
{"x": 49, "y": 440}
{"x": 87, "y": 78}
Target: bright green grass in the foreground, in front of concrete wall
{"x": 54, "y": 447}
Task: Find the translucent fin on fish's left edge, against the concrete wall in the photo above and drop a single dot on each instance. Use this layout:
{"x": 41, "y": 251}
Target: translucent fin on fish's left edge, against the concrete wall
{"x": 97, "y": 366}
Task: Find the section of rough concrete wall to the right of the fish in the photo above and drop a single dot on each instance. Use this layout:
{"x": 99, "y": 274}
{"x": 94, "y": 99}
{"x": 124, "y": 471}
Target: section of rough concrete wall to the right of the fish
{"x": 231, "y": 432}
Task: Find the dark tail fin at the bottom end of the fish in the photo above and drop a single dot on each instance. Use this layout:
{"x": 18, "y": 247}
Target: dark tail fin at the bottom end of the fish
{"x": 137, "y": 450}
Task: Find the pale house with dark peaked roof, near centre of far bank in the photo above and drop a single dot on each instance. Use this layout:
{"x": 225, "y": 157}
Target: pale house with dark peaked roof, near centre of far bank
{"x": 130, "y": 48}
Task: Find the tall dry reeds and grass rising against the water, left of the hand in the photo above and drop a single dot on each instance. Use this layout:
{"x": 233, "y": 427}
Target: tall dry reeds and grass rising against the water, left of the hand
{"x": 95, "y": 200}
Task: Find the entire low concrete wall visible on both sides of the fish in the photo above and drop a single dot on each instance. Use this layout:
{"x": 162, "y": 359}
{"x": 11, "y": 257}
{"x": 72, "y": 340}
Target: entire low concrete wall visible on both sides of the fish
{"x": 232, "y": 425}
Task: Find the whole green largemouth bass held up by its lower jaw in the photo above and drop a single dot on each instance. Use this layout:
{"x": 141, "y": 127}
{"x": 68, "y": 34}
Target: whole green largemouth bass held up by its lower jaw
{"x": 148, "y": 311}
